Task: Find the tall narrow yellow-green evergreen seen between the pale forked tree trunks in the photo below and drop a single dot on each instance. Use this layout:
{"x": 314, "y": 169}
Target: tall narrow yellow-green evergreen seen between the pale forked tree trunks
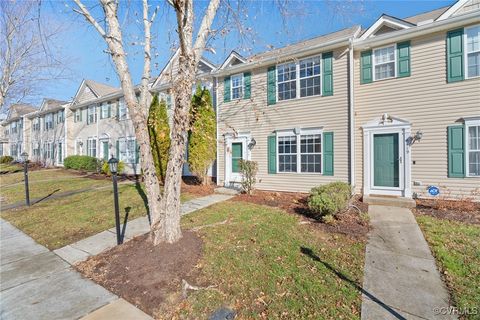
{"x": 159, "y": 133}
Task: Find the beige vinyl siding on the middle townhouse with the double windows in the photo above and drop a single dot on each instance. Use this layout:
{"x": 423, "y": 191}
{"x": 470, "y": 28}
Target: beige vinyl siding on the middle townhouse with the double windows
{"x": 258, "y": 118}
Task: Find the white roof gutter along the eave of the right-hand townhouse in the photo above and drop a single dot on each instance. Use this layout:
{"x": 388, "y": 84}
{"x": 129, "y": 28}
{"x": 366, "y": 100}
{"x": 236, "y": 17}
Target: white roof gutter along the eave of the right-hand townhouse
{"x": 417, "y": 31}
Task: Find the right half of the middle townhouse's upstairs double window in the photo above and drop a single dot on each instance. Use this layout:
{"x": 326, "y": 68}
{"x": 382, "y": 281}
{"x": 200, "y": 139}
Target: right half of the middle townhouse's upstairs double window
{"x": 310, "y": 77}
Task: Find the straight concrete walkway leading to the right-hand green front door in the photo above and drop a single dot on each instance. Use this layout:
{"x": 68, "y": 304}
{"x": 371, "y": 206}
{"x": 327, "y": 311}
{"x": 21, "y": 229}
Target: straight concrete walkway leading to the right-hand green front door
{"x": 401, "y": 280}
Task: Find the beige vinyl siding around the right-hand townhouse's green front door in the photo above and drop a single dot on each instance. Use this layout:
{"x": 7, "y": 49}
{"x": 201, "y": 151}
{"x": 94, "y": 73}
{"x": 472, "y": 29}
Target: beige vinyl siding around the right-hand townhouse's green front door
{"x": 430, "y": 104}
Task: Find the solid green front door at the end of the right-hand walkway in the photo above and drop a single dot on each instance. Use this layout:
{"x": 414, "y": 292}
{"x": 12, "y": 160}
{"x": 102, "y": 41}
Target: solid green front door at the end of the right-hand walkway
{"x": 386, "y": 160}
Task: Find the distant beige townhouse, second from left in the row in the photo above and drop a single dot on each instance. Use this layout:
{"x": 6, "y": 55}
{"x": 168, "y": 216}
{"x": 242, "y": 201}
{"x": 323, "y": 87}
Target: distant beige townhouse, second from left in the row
{"x": 47, "y": 133}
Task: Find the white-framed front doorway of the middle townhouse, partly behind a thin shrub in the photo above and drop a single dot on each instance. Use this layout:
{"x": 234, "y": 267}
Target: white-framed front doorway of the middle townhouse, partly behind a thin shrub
{"x": 236, "y": 149}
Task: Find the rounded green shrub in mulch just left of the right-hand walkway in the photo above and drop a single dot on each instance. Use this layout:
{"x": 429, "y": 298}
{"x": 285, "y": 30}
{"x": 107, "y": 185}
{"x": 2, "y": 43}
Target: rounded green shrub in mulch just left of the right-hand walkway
{"x": 329, "y": 199}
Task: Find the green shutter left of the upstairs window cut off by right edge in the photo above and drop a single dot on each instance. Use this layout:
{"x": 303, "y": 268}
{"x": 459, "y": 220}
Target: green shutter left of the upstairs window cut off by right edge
{"x": 455, "y": 55}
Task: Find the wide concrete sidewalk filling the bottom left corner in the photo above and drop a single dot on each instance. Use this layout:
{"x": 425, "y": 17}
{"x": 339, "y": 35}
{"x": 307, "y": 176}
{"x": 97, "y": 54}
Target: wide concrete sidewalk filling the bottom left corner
{"x": 37, "y": 284}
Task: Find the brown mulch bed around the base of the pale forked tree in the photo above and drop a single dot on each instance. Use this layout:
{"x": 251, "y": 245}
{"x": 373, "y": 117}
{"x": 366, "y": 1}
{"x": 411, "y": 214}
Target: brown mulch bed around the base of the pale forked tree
{"x": 146, "y": 275}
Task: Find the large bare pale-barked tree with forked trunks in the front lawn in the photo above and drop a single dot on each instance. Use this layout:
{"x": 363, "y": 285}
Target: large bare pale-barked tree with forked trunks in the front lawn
{"x": 164, "y": 208}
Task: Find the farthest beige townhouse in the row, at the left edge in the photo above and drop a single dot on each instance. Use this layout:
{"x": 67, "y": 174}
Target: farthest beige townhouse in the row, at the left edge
{"x": 16, "y": 130}
